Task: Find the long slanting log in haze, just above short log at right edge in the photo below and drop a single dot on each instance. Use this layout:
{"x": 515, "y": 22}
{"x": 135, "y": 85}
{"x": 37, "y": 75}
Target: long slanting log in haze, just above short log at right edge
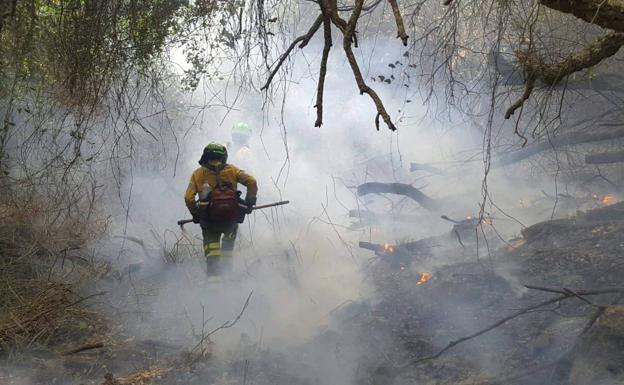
{"x": 573, "y": 138}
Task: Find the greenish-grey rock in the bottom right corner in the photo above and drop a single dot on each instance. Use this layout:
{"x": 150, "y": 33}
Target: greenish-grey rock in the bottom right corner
{"x": 600, "y": 356}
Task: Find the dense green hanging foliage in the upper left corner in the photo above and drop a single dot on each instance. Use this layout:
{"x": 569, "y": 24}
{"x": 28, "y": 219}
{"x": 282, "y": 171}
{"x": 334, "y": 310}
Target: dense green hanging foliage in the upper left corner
{"x": 79, "y": 47}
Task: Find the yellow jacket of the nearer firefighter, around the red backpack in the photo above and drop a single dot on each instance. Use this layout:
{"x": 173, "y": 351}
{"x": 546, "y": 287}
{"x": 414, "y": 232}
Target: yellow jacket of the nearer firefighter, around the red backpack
{"x": 229, "y": 174}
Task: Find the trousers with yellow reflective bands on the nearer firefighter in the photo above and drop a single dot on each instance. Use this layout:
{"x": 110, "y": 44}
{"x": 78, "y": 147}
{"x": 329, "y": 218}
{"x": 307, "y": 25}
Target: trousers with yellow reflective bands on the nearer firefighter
{"x": 218, "y": 246}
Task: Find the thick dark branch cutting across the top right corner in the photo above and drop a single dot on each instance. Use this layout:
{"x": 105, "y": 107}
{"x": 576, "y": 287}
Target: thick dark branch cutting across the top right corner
{"x": 607, "y": 14}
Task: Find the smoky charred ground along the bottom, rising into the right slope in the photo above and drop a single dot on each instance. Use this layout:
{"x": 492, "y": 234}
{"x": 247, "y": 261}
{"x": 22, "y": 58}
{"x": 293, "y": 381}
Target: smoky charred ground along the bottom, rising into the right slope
{"x": 395, "y": 337}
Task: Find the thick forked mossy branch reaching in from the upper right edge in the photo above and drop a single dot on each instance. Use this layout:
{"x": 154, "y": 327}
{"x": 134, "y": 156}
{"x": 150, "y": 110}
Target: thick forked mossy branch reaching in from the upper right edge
{"x": 551, "y": 74}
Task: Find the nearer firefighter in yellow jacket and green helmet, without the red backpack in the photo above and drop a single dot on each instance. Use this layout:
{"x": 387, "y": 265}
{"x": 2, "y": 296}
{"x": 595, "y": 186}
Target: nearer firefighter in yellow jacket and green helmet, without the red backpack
{"x": 215, "y": 171}
